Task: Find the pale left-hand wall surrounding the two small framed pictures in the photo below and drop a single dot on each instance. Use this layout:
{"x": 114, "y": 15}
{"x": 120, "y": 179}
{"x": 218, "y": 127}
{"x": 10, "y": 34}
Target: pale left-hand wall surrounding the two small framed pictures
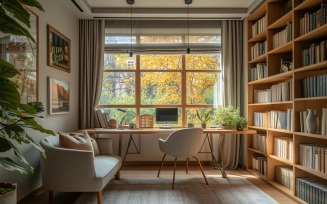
{"x": 57, "y": 14}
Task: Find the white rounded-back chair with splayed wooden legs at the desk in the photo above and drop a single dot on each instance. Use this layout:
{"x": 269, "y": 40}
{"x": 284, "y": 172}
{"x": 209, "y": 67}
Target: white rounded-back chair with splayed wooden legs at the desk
{"x": 182, "y": 143}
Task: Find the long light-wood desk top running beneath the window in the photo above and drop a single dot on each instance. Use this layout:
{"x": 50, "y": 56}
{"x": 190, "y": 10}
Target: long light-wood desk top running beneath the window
{"x": 164, "y": 131}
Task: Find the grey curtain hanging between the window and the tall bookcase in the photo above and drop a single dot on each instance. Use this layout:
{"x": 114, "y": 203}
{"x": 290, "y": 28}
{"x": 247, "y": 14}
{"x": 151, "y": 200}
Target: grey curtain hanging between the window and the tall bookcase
{"x": 233, "y": 76}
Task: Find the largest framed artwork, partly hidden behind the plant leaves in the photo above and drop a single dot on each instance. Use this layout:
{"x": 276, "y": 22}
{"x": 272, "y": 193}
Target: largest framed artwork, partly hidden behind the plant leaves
{"x": 23, "y": 54}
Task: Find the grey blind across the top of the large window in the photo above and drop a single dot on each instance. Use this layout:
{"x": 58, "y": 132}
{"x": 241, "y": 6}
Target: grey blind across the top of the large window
{"x": 162, "y": 36}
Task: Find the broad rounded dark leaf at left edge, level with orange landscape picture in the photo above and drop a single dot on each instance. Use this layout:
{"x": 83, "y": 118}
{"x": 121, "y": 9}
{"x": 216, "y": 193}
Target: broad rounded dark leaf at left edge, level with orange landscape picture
{"x": 9, "y": 96}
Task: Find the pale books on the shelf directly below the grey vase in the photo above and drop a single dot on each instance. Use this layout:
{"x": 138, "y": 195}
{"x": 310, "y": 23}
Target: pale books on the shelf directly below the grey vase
{"x": 314, "y": 156}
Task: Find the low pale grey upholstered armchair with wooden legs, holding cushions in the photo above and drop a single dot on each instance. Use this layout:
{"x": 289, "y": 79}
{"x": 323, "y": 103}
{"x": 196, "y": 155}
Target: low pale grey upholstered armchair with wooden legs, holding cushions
{"x": 70, "y": 170}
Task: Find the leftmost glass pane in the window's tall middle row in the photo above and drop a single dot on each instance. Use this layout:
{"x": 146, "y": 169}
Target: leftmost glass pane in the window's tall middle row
{"x": 118, "y": 88}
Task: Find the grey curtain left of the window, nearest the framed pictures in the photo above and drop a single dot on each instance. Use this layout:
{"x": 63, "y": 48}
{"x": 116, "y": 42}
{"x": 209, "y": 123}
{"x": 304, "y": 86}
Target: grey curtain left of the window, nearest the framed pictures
{"x": 91, "y": 34}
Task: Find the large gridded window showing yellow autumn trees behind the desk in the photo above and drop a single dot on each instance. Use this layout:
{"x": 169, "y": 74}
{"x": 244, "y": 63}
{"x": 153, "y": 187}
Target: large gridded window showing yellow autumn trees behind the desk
{"x": 158, "y": 75}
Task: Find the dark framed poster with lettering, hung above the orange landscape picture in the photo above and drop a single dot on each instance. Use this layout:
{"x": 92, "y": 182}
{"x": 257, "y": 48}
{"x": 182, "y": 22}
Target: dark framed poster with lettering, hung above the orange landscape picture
{"x": 58, "y": 50}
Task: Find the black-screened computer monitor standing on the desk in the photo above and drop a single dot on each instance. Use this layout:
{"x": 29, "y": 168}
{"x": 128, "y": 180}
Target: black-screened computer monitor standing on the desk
{"x": 166, "y": 116}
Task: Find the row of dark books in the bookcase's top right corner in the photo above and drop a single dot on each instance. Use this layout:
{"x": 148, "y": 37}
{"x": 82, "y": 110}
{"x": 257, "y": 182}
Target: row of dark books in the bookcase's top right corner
{"x": 313, "y": 20}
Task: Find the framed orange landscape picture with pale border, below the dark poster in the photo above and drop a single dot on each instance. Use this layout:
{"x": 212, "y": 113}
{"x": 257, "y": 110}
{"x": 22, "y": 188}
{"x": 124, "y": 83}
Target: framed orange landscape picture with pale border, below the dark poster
{"x": 59, "y": 96}
